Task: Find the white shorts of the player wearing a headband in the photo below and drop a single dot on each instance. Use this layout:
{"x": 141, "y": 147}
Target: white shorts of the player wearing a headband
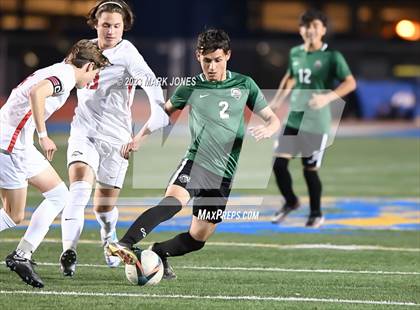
{"x": 103, "y": 157}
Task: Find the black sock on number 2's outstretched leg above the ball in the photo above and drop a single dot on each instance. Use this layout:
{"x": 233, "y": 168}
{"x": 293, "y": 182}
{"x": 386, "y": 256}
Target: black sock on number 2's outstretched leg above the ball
{"x": 144, "y": 224}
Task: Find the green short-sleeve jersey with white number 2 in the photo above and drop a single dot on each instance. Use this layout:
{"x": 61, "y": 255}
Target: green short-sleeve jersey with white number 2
{"x": 216, "y": 119}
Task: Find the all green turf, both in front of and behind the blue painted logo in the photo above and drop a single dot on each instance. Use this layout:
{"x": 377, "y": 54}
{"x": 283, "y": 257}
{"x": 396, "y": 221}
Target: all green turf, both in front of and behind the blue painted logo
{"x": 336, "y": 270}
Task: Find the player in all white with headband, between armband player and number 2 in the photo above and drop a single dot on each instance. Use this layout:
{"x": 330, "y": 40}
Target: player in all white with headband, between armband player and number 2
{"x": 102, "y": 126}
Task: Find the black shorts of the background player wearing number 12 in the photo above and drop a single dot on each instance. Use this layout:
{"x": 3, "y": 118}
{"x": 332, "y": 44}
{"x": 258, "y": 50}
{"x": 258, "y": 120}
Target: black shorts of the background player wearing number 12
{"x": 310, "y": 146}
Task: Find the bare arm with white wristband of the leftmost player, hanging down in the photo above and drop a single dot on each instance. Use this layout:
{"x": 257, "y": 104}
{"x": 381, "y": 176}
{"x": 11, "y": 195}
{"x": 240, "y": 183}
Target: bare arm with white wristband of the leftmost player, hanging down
{"x": 37, "y": 96}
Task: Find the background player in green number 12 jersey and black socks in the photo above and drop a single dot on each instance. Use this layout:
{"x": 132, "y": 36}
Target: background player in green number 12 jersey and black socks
{"x": 313, "y": 68}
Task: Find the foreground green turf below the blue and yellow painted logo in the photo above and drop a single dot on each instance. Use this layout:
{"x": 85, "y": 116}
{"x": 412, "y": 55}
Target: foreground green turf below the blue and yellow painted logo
{"x": 258, "y": 274}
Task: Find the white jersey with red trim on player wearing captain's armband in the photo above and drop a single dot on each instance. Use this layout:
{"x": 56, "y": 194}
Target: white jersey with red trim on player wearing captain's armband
{"x": 16, "y": 123}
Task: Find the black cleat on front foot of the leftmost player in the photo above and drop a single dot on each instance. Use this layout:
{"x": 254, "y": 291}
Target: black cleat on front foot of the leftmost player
{"x": 24, "y": 268}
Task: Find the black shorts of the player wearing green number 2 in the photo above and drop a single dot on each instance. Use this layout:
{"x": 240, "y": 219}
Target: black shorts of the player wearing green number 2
{"x": 209, "y": 190}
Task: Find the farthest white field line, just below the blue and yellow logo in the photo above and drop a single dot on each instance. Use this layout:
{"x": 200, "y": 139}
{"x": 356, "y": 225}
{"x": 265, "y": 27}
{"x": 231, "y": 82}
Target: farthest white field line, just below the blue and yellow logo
{"x": 303, "y": 246}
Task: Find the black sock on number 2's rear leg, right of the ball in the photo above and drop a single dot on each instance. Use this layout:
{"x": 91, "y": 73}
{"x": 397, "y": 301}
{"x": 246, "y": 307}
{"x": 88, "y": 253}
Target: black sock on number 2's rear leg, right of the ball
{"x": 179, "y": 245}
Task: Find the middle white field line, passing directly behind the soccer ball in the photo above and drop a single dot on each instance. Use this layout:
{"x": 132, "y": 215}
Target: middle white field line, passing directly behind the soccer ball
{"x": 262, "y": 269}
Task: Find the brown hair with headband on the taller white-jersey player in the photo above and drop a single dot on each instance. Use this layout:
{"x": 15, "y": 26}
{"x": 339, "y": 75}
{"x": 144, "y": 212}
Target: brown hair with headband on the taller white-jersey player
{"x": 111, "y": 6}
